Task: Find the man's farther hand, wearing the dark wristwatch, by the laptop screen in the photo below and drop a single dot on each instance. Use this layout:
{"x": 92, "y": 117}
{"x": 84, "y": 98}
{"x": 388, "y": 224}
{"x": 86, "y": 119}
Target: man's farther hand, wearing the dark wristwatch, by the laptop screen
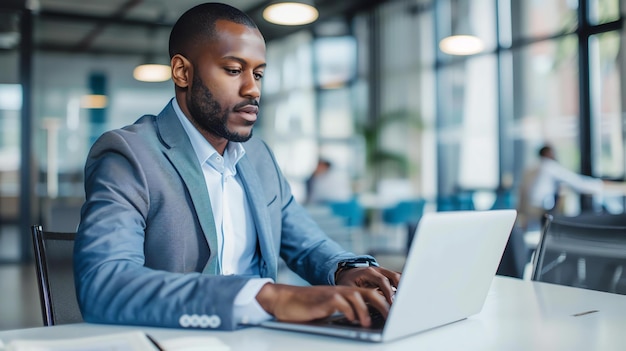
{"x": 386, "y": 281}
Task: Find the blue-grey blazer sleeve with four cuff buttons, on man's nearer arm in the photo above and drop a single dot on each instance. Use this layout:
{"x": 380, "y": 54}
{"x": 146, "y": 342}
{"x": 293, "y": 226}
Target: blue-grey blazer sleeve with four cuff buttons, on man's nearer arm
{"x": 113, "y": 284}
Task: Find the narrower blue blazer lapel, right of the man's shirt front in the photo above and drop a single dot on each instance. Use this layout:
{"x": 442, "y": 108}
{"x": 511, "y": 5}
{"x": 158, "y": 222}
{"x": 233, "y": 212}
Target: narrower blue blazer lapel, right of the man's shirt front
{"x": 258, "y": 207}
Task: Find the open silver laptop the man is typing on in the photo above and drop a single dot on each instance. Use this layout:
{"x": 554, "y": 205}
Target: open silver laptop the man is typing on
{"x": 447, "y": 275}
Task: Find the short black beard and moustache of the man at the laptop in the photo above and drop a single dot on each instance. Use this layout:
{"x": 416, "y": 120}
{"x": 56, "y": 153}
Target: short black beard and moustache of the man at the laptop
{"x": 209, "y": 116}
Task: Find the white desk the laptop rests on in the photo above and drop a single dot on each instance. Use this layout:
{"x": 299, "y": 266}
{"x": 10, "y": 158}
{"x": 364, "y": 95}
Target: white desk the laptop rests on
{"x": 518, "y": 315}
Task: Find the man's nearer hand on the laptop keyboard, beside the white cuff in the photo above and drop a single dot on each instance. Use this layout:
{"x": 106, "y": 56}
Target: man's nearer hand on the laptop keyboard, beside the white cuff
{"x": 305, "y": 303}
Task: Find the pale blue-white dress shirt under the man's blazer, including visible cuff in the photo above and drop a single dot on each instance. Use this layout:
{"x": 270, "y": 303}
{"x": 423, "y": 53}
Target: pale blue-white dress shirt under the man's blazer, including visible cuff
{"x": 236, "y": 233}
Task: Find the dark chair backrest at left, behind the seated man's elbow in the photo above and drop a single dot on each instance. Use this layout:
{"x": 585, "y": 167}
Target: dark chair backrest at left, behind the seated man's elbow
{"x": 53, "y": 253}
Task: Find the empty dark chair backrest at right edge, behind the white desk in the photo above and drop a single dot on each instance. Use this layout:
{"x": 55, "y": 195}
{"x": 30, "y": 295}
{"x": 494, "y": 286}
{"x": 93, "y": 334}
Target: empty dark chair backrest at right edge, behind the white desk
{"x": 585, "y": 251}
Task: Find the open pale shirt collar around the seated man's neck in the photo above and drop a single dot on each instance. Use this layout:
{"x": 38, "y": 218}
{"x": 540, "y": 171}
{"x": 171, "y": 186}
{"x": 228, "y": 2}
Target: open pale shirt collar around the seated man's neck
{"x": 203, "y": 149}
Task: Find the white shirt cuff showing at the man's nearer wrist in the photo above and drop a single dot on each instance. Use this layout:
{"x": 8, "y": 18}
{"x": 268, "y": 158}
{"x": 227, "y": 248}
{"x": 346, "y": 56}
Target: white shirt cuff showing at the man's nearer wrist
{"x": 246, "y": 308}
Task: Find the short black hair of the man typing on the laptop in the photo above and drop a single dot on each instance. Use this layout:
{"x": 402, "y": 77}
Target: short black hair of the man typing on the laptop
{"x": 197, "y": 26}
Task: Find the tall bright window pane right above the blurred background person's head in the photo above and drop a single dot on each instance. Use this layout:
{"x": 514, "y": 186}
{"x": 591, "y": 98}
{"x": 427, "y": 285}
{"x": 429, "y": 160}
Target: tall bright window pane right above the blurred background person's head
{"x": 547, "y": 105}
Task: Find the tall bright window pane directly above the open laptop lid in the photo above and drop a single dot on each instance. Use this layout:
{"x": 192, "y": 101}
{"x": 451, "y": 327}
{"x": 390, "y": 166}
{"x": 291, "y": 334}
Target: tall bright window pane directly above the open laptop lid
{"x": 468, "y": 126}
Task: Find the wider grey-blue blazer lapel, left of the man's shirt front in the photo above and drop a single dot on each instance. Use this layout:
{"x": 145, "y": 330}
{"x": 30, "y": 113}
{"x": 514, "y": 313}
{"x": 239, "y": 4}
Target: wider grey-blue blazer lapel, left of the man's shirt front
{"x": 180, "y": 153}
